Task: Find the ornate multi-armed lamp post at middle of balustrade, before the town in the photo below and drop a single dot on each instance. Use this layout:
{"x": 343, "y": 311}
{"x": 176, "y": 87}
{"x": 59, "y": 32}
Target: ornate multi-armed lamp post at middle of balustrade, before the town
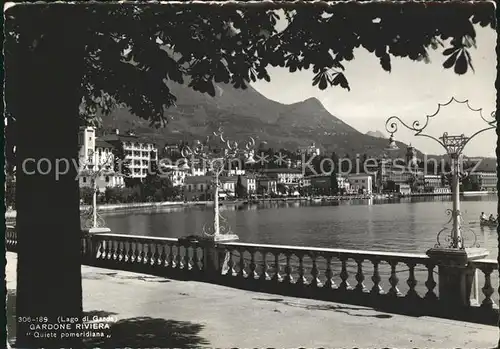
{"x": 217, "y": 156}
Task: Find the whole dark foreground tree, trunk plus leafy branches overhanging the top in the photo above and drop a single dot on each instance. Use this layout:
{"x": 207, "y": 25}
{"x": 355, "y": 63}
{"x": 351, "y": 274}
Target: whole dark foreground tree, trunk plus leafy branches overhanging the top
{"x": 64, "y": 60}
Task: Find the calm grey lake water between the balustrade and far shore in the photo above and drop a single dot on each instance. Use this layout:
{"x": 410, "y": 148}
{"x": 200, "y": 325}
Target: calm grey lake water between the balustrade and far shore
{"x": 400, "y": 225}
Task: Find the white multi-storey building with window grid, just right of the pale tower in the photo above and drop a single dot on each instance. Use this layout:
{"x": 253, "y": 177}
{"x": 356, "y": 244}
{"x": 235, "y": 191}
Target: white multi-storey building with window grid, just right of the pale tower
{"x": 138, "y": 152}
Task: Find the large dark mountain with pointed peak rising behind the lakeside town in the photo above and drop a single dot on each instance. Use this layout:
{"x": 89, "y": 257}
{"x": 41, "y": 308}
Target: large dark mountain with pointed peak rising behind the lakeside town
{"x": 244, "y": 113}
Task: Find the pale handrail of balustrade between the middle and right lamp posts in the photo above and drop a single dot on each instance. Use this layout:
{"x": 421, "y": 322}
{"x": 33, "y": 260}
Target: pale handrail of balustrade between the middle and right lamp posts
{"x": 420, "y": 256}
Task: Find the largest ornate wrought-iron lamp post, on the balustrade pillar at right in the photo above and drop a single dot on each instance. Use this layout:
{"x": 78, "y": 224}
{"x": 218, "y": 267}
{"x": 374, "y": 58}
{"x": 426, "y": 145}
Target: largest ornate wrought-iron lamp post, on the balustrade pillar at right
{"x": 454, "y": 145}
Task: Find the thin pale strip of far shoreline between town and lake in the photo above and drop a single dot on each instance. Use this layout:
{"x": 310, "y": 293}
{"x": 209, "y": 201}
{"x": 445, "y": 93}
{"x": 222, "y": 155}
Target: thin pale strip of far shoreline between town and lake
{"x": 140, "y": 205}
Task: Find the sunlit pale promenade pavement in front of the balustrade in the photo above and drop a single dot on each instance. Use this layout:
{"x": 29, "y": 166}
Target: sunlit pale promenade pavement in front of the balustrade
{"x": 158, "y": 312}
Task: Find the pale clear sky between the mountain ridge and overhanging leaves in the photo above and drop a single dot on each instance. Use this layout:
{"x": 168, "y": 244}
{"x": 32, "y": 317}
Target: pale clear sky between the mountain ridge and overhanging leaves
{"x": 410, "y": 91}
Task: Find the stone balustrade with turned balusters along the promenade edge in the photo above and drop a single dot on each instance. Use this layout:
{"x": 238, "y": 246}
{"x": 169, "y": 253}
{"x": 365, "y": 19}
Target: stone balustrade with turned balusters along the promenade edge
{"x": 398, "y": 280}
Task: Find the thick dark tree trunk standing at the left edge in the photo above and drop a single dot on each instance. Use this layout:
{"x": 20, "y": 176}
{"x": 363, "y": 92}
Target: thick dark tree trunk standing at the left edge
{"x": 47, "y": 97}
